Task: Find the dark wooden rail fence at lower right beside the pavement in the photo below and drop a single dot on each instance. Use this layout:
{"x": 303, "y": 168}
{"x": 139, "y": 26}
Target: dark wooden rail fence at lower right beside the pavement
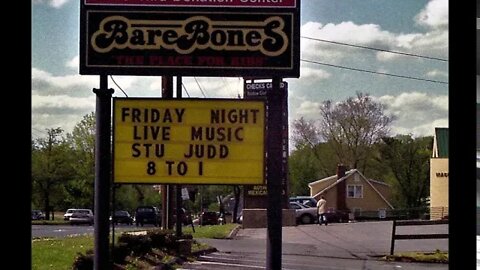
{"x": 415, "y": 236}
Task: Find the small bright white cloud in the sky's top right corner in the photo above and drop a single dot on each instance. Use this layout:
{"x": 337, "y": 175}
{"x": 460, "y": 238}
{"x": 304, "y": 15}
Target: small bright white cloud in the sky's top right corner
{"x": 434, "y": 15}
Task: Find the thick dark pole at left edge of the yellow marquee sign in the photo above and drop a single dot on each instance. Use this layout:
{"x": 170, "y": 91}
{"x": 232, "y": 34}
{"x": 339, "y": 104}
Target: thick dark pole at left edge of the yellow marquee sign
{"x": 102, "y": 174}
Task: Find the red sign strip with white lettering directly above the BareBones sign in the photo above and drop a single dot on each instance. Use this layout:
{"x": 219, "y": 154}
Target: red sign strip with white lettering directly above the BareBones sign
{"x": 199, "y": 3}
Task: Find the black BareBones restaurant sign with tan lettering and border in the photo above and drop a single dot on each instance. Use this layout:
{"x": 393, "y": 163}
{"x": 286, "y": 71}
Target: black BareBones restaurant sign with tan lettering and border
{"x": 187, "y": 41}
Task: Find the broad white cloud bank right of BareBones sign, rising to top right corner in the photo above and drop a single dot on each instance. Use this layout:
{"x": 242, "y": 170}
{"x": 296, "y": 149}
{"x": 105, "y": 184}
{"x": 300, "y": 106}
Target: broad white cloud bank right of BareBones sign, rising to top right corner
{"x": 433, "y": 43}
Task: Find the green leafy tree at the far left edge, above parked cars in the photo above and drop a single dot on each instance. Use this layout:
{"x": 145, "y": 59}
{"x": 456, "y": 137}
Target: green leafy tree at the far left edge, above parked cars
{"x": 51, "y": 168}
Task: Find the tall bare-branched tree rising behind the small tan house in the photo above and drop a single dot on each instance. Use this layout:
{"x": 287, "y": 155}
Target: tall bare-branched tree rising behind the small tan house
{"x": 352, "y": 127}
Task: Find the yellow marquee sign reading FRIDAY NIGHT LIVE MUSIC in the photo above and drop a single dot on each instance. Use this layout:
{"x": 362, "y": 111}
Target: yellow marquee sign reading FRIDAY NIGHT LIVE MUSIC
{"x": 188, "y": 141}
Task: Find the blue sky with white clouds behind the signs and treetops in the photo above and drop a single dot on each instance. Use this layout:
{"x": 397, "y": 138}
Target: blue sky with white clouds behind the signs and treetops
{"x": 416, "y": 95}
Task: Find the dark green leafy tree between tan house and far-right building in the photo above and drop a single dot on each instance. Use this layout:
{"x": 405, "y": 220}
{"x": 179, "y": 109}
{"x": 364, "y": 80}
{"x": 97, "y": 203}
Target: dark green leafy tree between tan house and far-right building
{"x": 408, "y": 158}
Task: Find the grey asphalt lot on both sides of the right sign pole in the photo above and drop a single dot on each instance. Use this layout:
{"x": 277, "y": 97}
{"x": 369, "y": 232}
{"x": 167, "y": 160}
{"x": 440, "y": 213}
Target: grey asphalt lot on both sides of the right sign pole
{"x": 333, "y": 247}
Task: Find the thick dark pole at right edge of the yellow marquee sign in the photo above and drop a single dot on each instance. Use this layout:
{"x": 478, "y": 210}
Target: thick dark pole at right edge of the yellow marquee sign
{"x": 274, "y": 177}
